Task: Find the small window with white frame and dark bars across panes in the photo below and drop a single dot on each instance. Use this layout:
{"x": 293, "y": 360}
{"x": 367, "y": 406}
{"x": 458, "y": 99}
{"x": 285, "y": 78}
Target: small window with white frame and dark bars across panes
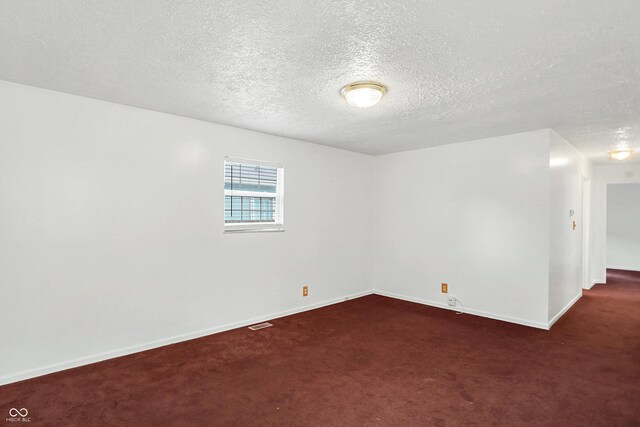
{"x": 253, "y": 195}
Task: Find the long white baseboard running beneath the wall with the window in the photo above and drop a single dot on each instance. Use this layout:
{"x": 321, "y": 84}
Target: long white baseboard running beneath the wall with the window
{"x": 61, "y": 366}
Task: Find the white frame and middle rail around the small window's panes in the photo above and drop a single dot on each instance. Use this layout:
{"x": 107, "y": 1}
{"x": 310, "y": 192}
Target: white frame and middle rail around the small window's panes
{"x": 258, "y": 227}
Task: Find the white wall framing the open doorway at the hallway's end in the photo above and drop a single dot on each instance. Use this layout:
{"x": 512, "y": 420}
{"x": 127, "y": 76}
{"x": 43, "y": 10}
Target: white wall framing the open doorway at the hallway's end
{"x": 603, "y": 175}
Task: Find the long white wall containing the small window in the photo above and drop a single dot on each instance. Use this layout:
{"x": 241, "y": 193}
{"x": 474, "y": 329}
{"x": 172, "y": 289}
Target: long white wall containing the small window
{"x": 111, "y": 230}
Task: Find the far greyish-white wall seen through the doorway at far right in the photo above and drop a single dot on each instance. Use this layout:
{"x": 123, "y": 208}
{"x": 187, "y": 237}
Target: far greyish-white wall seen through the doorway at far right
{"x": 623, "y": 226}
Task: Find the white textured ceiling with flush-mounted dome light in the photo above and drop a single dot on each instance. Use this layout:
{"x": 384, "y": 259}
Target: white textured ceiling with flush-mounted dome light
{"x": 456, "y": 69}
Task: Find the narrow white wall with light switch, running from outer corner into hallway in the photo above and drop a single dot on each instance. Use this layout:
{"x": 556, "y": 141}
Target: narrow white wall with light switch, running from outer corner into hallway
{"x": 567, "y": 166}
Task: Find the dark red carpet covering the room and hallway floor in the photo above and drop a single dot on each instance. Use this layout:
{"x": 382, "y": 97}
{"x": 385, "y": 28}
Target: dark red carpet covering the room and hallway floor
{"x": 367, "y": 362}
